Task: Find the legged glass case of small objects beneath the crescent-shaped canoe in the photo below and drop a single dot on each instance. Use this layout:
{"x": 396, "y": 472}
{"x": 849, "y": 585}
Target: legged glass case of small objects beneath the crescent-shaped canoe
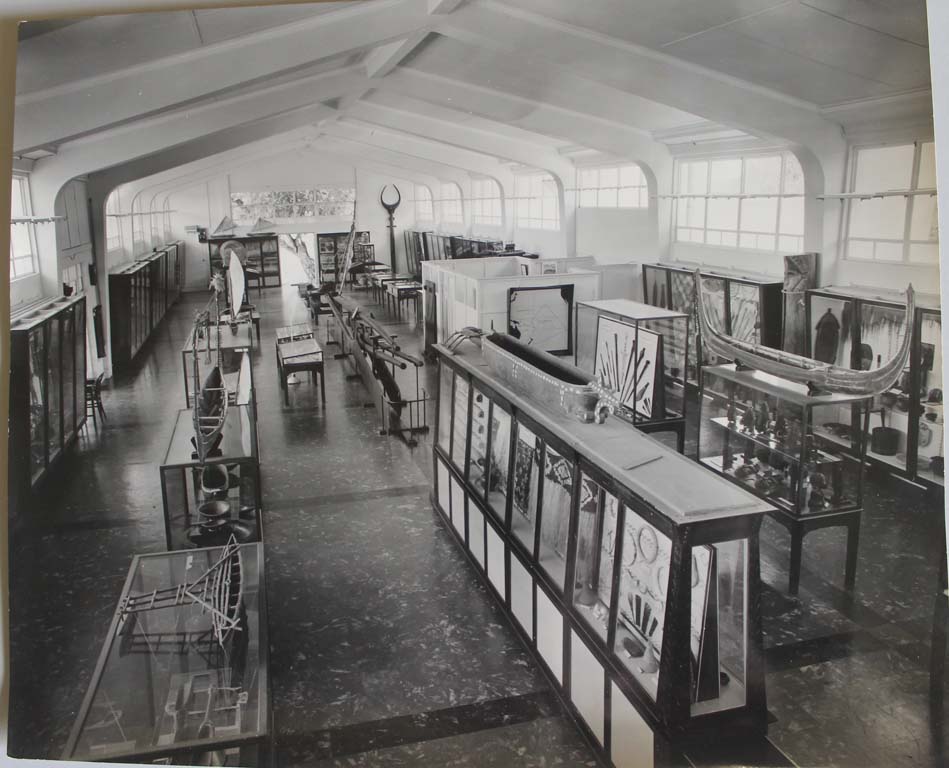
{"x": 766, "y": 435}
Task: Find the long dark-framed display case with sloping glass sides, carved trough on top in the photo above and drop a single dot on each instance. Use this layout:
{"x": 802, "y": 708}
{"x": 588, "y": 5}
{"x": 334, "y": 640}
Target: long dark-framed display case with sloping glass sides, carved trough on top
{"x": 631, "y": 572}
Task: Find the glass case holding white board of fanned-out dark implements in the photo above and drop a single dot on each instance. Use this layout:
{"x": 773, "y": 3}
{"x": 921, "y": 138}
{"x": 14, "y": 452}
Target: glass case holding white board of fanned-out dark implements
{"x": 642, "y": 353}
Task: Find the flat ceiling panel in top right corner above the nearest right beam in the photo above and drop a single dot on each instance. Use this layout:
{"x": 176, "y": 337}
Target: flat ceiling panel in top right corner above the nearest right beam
{"x": 822, "y": 51}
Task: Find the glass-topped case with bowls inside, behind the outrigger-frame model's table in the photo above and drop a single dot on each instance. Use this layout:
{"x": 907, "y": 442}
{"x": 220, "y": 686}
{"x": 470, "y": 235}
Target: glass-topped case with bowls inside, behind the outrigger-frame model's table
{"x": 185, "y": 488}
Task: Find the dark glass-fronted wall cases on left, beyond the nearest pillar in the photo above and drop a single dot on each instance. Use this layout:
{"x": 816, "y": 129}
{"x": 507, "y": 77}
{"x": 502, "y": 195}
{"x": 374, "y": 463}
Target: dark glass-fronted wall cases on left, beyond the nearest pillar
{"x": 140, "y": 294}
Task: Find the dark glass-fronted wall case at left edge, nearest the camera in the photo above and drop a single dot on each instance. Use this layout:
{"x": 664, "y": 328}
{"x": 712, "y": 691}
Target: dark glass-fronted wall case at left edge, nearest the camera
{"x": 47, "y": 389}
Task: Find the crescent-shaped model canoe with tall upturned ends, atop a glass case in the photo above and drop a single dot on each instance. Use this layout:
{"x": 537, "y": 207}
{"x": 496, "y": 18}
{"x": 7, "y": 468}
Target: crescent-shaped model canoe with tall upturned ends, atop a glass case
{"x": 818, "y": 376}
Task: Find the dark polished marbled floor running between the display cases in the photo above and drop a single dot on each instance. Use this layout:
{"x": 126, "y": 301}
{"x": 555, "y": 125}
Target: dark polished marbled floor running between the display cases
{"x": 386, "y": 648}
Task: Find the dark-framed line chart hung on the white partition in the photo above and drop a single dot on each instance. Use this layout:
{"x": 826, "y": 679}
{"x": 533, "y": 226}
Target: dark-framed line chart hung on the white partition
{"x": 542, "y": 316}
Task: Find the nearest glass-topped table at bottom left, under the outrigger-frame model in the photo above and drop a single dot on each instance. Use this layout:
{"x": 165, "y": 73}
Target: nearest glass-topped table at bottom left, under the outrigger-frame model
{"x": 164, "y": 686}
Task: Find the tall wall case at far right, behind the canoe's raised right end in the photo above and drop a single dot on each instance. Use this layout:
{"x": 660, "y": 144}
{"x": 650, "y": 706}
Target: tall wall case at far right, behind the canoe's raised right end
{"x": 862, "y": 328}
